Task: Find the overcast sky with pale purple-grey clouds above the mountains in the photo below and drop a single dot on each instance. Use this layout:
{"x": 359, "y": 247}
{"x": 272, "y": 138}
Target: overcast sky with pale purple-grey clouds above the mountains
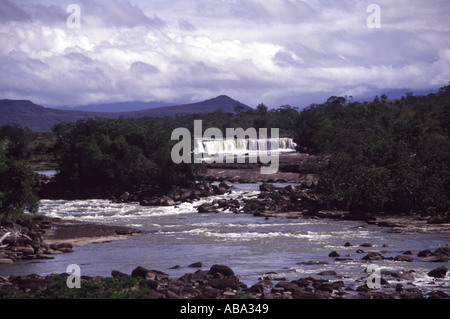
{"x": 273, "y": 51}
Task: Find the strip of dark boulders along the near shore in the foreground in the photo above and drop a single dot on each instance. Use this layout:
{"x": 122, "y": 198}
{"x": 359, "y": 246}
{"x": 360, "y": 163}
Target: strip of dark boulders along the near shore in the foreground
{"x": 219, "y": 282}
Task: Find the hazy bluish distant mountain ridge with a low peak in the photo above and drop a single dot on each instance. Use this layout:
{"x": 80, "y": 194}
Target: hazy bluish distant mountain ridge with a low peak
{"x": 39, "y": 118}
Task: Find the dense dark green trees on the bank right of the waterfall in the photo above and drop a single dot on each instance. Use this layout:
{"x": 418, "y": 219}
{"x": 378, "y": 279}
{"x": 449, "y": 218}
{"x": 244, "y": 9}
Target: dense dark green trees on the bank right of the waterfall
{"x": 390, "y": 156}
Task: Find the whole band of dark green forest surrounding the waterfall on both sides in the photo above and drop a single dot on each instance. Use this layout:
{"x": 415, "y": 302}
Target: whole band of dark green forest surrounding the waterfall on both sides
{"x": 388, "y": 156}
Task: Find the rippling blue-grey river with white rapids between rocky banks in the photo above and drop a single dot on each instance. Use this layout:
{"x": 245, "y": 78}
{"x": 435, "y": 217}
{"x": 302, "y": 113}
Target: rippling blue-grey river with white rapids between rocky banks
{"x": 251, "y": 246}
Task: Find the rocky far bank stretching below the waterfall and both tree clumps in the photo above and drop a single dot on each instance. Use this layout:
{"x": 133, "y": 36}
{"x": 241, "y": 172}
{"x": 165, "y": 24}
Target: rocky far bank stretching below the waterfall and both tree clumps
{"x": 292, "y": 202}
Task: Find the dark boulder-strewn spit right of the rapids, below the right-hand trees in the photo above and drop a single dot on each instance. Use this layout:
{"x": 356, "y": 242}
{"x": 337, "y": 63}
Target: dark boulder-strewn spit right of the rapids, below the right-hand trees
{"x": 301, "y": 201}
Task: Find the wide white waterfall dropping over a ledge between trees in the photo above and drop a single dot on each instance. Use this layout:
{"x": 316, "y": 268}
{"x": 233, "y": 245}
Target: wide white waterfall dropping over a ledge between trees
{"x": 244, "y": 146}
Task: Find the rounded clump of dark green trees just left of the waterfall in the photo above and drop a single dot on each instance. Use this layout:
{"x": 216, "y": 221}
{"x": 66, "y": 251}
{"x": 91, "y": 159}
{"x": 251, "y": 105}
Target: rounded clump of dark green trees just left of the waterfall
{"x": 118, "y": 155}
